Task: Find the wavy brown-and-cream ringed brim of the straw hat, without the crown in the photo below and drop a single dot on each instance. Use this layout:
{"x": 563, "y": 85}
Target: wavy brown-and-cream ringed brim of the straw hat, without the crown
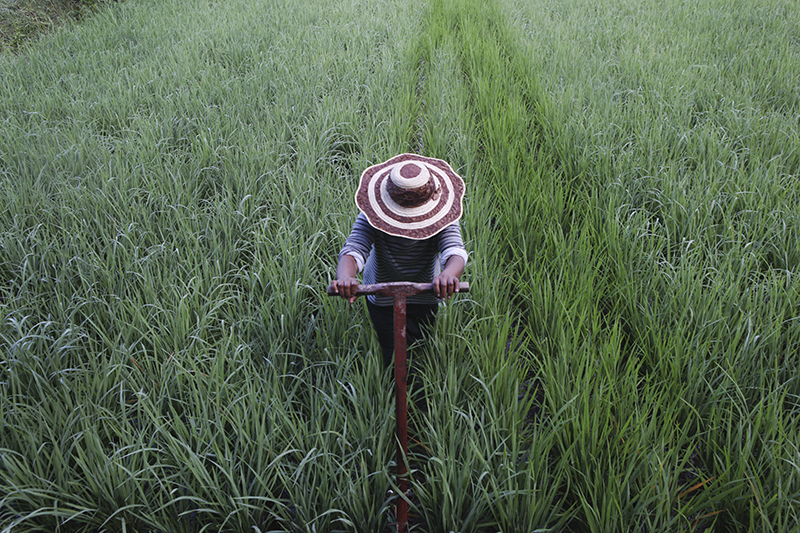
{"x": 417, "y": 223}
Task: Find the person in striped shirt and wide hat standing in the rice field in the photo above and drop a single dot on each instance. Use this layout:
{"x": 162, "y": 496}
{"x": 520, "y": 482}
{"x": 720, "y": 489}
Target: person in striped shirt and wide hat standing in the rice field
{"x": 407, "y": 230}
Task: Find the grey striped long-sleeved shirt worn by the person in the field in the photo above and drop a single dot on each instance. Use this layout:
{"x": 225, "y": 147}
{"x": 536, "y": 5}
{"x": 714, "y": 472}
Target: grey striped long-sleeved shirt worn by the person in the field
{"x": 385, "y": 258}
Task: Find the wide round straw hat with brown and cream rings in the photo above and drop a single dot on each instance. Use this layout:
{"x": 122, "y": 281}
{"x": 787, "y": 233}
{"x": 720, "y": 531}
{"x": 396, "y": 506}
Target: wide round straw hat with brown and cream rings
{"x": 411, "y": 196}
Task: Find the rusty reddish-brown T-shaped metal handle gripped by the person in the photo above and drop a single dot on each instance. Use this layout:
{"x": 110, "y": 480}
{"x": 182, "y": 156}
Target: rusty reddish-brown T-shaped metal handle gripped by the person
{"x": 399, "y": 291}
